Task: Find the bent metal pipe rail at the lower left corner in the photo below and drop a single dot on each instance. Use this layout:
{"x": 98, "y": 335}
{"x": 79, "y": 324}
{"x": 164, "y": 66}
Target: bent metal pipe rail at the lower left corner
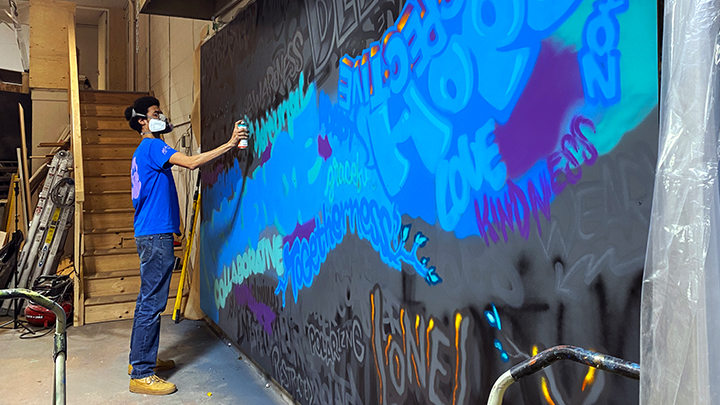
{"x": 60, "y": 347}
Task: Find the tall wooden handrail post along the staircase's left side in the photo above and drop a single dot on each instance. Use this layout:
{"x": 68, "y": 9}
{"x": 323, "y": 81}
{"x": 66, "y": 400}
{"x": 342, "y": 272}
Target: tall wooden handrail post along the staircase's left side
{"x": 76, "y": 140}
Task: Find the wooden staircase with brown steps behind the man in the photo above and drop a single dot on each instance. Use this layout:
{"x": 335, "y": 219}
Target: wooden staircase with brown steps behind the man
{"x": 111, "y": 267}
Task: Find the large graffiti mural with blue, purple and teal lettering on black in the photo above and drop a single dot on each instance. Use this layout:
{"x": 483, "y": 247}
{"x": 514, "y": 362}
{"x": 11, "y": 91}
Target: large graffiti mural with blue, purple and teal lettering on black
{"x": 433, "y": 192}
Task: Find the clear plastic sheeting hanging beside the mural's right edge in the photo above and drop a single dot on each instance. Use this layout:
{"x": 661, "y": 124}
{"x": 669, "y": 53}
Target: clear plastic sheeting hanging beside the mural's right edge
{"x": 680, "y": 341}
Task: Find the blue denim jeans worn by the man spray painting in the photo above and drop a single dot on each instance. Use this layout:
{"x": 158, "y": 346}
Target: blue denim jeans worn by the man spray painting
{"x": 157, "y": 258}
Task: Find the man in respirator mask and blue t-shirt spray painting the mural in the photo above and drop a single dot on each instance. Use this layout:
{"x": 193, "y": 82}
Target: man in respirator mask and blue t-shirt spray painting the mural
{"x": 156, "y": 219}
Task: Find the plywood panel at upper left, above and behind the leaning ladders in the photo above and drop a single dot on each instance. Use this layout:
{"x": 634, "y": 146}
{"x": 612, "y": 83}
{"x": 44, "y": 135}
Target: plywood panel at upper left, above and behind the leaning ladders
{"x": 49, "y": 66}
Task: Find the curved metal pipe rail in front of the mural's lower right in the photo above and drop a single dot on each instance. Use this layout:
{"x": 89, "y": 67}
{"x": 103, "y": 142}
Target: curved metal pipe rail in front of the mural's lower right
{"x": 549, "y": 356}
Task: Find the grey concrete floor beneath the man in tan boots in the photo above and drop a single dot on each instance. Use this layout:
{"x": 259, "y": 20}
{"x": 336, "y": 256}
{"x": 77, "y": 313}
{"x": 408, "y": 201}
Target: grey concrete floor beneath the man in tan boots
{"x": 97, "y": 367}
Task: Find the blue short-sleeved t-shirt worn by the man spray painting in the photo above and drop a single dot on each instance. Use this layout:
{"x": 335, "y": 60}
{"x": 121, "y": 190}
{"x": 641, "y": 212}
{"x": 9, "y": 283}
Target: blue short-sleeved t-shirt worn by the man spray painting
{"x": 153, "y": 189}
